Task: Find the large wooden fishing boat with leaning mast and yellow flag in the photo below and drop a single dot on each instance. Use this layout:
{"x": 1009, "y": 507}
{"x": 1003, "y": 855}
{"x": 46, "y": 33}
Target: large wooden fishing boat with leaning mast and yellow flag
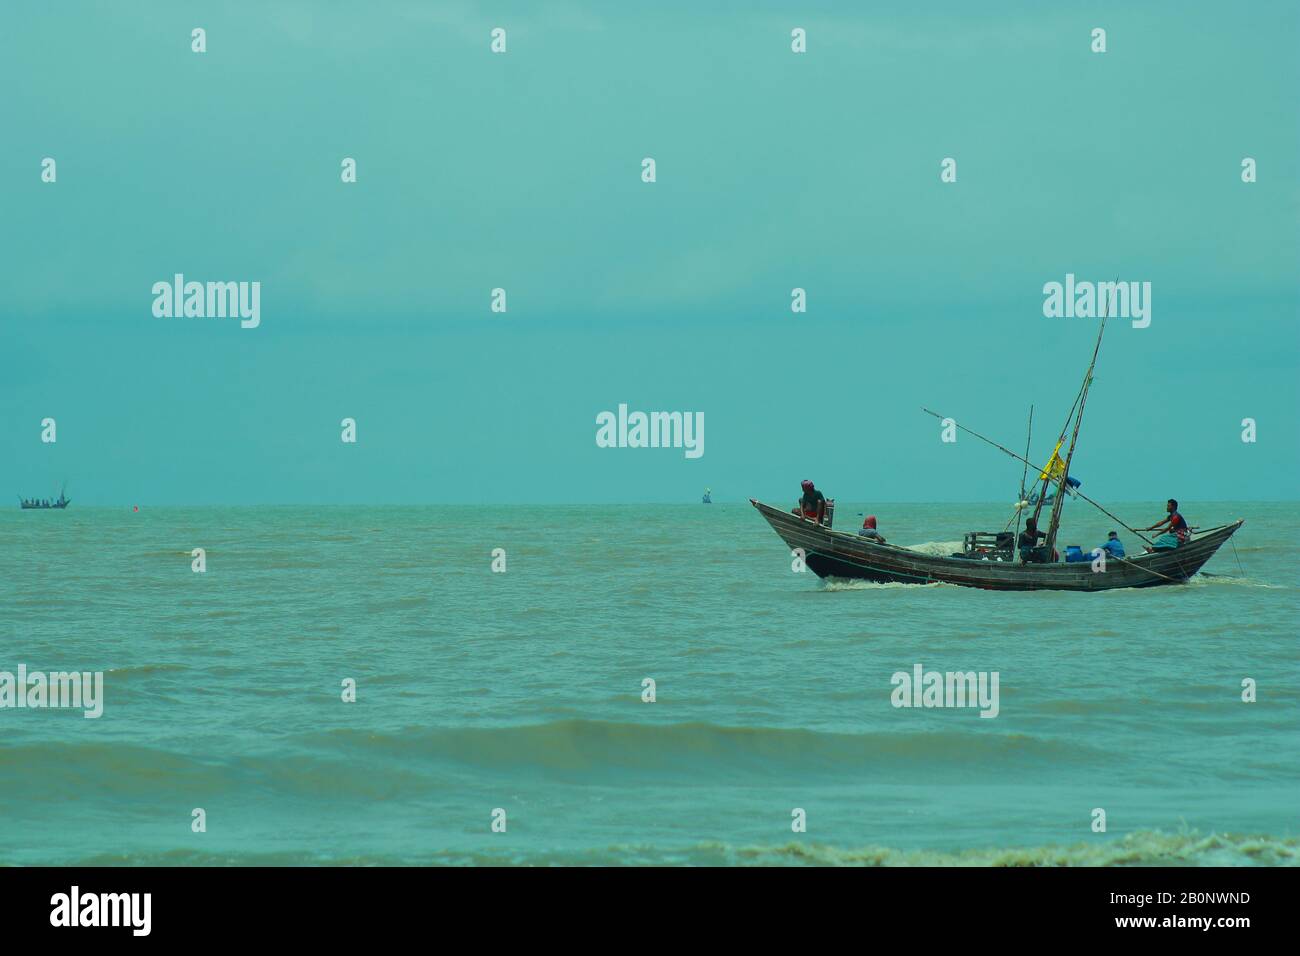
{"x": 990, "y": 559}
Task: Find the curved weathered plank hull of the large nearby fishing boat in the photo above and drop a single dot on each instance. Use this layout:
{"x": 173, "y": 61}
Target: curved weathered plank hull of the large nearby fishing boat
{"x": 838, "y": 555}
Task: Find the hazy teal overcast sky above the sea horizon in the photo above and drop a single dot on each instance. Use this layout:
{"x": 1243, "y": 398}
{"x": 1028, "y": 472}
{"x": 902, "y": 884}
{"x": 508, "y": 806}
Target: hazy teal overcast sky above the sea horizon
{"x": 523, "y": 171}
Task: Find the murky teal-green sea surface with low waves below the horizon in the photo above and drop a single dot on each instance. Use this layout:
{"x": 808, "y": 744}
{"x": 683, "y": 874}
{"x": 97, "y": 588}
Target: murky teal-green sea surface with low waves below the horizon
{"x": 522, "y": 691}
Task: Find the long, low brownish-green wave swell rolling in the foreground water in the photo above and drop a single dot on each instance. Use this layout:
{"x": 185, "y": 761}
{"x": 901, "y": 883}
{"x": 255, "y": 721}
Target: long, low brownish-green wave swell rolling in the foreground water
{"x": 612, "y": 754}
